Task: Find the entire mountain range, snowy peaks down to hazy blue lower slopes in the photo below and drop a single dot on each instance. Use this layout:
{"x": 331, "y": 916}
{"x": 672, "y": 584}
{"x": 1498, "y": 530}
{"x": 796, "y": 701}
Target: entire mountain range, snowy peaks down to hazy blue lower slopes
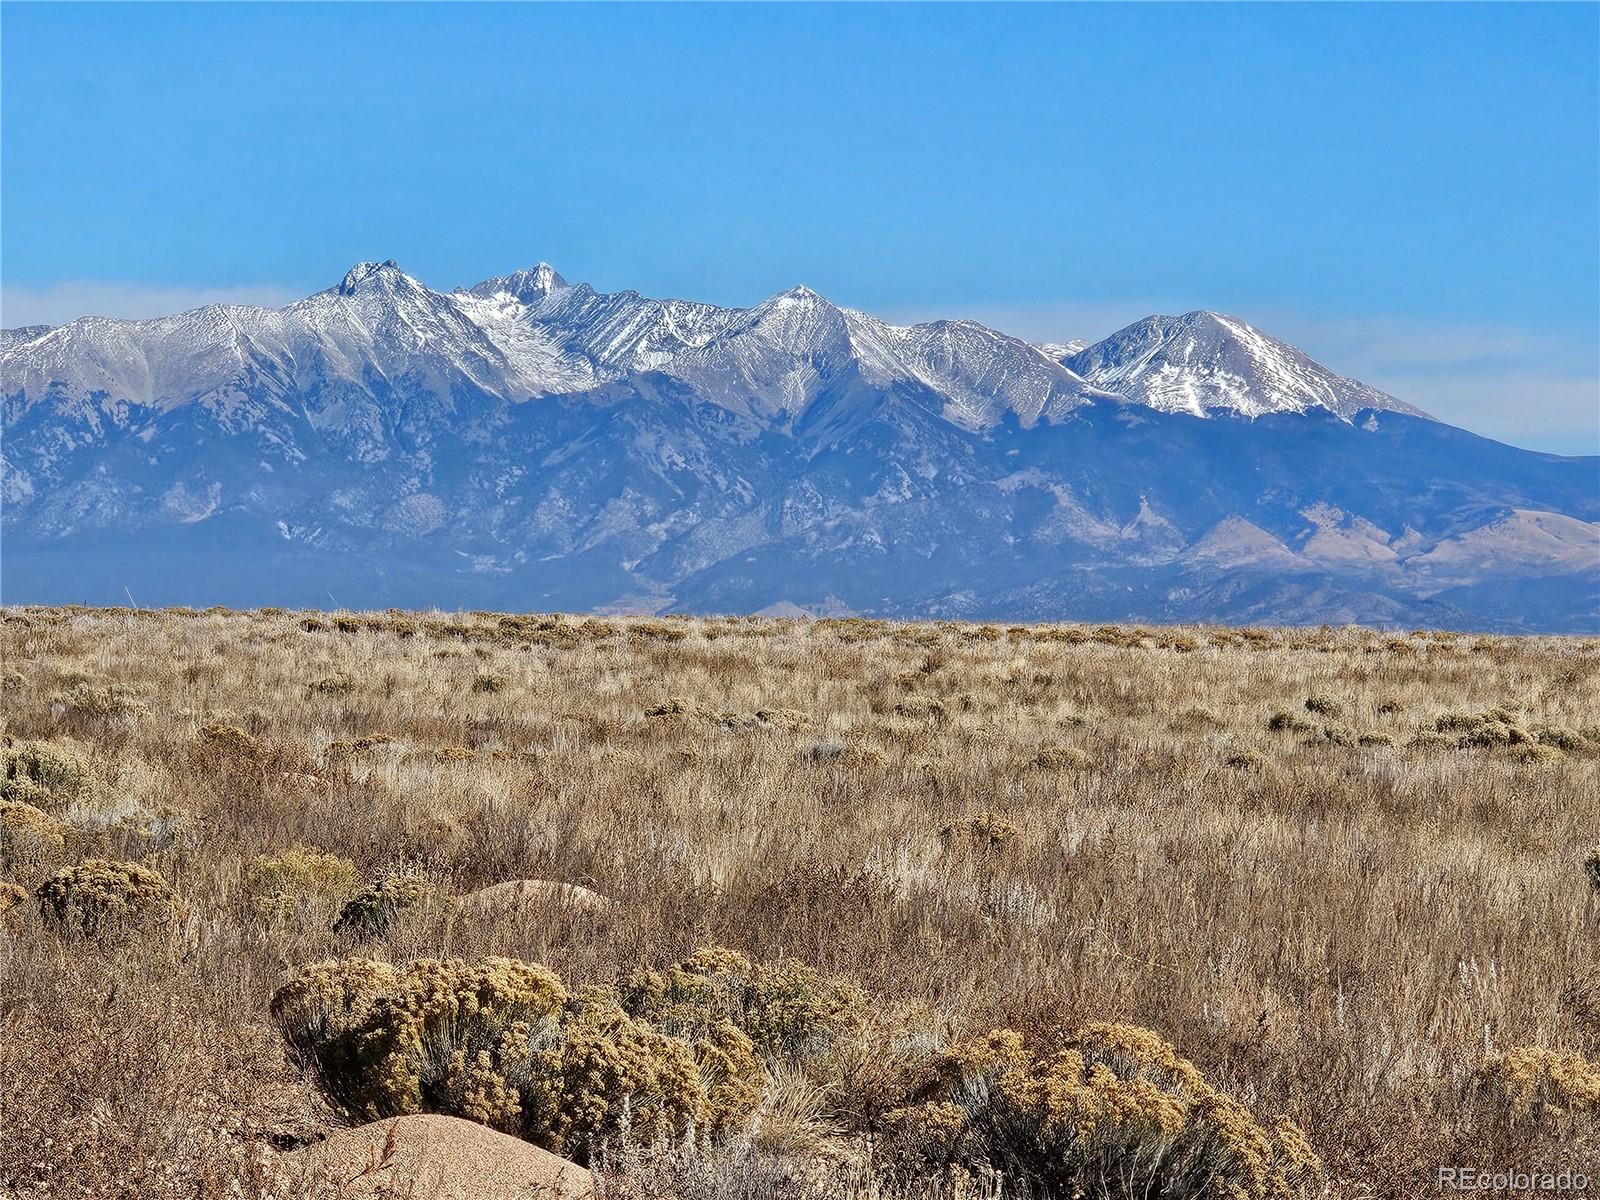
{"x": 534, "y": 444}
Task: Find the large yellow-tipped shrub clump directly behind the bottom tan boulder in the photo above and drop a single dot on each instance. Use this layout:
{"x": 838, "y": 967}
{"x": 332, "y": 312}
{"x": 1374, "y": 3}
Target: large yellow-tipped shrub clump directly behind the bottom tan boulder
{"x": 503, "y": 1044}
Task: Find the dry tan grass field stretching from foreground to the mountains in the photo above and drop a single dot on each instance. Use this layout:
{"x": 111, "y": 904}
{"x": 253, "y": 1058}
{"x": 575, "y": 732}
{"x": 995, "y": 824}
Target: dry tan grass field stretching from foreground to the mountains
{"x": 1318, "y": 863}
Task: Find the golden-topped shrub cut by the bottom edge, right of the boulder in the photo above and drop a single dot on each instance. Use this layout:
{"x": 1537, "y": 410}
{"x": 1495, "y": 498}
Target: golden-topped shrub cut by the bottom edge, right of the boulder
{"x": 1113, "y": 1103}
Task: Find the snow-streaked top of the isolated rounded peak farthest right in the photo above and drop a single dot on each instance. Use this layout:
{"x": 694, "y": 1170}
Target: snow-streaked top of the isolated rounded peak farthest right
{"x": 1207, "y": 361}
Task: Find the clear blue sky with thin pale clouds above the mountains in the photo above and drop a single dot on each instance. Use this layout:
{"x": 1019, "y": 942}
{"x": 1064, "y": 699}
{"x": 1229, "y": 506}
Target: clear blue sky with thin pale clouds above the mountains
{"x": 1410, "y": 193}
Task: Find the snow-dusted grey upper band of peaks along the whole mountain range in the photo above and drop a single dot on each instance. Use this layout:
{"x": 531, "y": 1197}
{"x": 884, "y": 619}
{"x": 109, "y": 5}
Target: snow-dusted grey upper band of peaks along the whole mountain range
{"x": 532, "y": 334}
